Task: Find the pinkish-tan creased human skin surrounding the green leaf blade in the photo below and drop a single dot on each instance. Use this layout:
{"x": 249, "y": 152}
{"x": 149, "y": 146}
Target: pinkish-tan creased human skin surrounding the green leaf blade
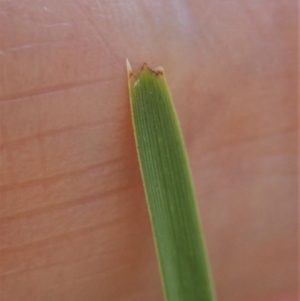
{"x": 73, "y": 222}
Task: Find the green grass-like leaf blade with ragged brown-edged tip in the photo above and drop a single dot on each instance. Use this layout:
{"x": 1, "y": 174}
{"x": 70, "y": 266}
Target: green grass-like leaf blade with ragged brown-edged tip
{"x": 168, "y": 188}
